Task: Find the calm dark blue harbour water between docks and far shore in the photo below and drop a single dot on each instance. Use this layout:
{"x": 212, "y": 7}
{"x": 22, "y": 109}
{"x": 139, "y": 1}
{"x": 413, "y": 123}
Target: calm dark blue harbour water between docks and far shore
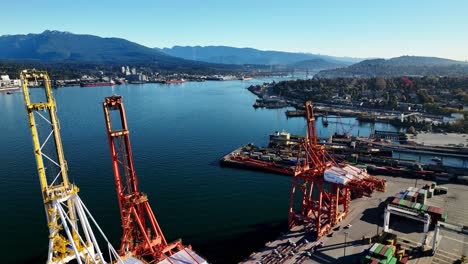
{"x": 178, "y": 133}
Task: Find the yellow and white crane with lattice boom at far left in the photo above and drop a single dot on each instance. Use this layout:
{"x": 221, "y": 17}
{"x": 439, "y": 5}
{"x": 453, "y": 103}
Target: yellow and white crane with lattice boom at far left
{"x": 71, "y": 235}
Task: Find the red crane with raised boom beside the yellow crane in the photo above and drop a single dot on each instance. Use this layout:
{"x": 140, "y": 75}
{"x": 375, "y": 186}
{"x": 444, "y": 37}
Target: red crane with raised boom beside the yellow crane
{"x": 142, "y": 236}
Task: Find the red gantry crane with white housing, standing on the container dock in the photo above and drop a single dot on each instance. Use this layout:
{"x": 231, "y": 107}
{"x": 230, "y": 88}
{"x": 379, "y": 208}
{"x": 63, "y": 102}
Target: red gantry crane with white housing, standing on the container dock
{"x": 324, "y": 186}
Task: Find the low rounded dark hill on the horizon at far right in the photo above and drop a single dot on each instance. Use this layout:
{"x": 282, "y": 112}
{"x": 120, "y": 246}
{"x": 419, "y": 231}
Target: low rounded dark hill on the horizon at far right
{"x": 399, "y": 66}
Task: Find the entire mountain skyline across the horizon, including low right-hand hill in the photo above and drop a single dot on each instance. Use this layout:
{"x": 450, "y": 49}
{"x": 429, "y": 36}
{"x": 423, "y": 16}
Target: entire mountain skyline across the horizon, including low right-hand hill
{"x": 64, "y": 48}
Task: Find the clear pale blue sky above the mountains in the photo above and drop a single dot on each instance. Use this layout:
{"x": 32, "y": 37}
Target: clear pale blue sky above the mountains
{"x": 356, "y": 28}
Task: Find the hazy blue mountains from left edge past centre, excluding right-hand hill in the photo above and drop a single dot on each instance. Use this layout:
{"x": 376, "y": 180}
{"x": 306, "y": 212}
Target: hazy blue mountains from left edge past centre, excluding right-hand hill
{"x": 53, "y": 46}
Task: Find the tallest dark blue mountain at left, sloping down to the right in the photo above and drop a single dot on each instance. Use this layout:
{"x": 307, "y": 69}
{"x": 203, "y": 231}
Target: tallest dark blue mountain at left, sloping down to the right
{"x": 64, "y": 47}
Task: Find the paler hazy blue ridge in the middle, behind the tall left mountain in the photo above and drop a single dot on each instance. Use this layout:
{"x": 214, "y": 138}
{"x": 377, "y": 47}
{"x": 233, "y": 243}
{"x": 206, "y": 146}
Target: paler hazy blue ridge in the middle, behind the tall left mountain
{"x": 232, "y": 55}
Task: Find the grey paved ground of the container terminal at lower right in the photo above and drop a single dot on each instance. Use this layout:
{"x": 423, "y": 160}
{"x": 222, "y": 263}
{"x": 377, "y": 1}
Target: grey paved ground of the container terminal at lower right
{"x": 366, "y": 220}
